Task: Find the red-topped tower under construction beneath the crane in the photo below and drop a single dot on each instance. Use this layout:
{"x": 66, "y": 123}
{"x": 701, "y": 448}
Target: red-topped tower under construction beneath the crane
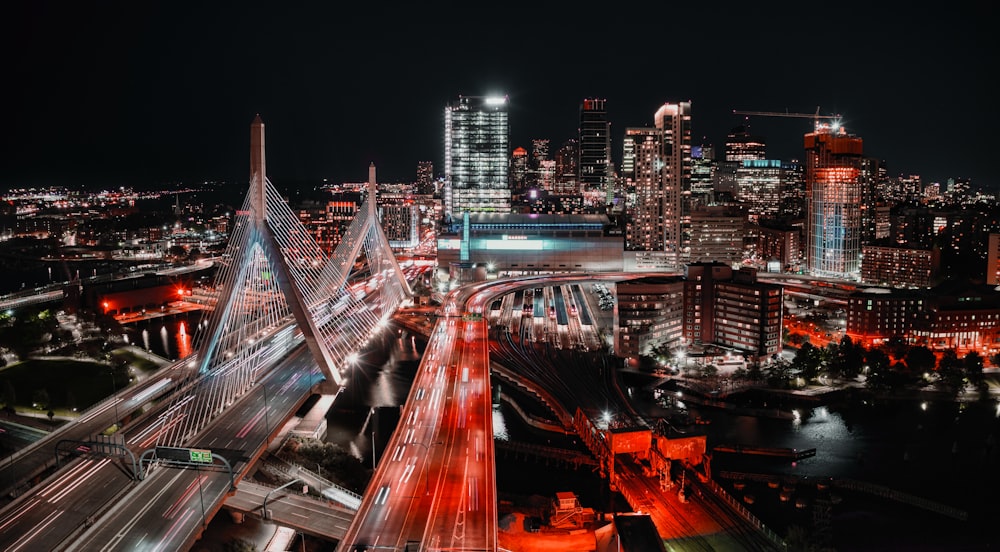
{"x": 833, "y": 202}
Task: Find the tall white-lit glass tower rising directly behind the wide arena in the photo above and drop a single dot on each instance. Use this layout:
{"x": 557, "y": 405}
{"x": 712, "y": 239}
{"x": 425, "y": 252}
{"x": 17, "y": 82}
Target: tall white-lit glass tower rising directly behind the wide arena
{"x": 476, "y": 144}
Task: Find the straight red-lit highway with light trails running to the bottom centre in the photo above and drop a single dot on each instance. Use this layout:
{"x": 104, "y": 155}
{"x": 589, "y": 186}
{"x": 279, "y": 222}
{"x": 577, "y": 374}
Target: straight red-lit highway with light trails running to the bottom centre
{"x": 435, "y": 485}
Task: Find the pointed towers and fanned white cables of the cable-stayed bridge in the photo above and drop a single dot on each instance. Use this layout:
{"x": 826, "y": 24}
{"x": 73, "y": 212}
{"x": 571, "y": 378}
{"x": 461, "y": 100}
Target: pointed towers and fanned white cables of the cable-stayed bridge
{"x": 276, "y": 288}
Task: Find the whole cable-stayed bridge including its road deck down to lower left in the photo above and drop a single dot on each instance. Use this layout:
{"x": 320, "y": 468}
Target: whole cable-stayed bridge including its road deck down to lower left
{"x": 275, "y": 291}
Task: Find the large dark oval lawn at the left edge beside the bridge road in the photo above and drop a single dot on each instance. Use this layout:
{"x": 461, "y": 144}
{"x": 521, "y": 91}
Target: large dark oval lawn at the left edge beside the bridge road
{"x": 69, "y": 383}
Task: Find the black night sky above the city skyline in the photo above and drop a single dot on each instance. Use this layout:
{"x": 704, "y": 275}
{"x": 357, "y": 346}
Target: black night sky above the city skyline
{"x": 143, "y": 93}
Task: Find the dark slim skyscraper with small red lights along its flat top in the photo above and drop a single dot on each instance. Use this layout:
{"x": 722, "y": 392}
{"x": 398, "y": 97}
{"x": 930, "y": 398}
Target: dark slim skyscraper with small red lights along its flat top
{"x": 594, "y": 167}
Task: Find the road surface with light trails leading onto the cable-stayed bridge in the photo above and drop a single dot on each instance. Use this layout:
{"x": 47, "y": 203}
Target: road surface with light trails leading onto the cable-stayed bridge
{"x": 95, "y": 480}
